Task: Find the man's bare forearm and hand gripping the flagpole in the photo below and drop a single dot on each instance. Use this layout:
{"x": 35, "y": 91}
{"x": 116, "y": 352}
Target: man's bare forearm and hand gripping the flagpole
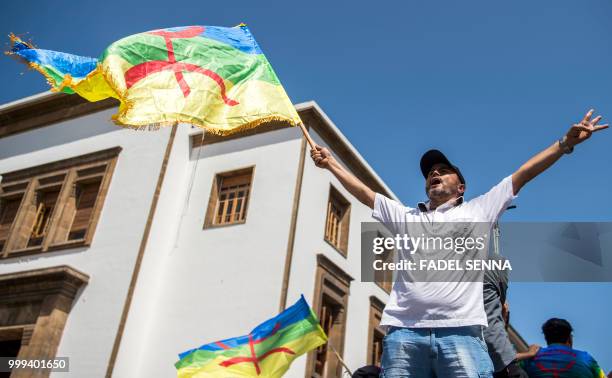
{"x": 324, "y": 159}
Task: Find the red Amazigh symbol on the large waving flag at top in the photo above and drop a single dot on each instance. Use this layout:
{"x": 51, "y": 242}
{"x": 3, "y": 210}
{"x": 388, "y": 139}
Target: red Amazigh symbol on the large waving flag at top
{"x": 142, "y": 70}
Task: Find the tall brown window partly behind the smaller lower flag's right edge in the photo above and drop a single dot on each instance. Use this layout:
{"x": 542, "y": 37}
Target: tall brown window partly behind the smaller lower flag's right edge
{"x": 330, "y": 304}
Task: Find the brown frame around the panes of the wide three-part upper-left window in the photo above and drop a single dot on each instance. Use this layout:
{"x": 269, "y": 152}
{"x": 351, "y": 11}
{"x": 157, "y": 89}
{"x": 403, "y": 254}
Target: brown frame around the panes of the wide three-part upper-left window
{"x": 27, "y": 182}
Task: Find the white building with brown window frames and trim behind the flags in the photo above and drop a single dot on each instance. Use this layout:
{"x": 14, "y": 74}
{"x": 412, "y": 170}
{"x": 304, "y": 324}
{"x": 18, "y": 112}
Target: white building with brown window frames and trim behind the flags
{"x": 122, "y": 248}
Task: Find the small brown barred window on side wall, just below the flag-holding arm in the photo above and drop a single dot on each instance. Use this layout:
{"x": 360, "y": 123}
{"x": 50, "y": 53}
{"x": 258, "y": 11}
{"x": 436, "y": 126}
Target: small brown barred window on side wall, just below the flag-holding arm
{"x": 337, "y": 222}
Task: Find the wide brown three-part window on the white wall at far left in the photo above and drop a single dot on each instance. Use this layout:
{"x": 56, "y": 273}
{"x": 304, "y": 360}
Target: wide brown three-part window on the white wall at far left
{"x": 55, "y": 205}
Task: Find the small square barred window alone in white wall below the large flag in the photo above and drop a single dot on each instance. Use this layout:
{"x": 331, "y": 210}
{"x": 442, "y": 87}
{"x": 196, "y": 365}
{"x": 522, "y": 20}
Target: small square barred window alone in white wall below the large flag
{"x": 229, "y": 198}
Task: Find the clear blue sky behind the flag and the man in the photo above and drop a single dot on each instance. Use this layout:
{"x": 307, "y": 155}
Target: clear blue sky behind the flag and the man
{"x": 489, "y": 83}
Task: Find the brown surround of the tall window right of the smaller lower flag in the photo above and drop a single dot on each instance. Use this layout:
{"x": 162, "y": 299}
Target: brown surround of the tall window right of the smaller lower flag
{"x": 330, "y": 281}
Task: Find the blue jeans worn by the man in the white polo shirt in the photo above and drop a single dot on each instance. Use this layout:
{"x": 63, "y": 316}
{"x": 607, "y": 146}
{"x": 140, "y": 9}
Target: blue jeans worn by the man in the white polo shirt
{"x": 453, "y": 352}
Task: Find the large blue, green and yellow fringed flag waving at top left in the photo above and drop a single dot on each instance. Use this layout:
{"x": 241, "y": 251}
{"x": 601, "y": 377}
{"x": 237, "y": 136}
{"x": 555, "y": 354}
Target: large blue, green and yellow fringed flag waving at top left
{"x": 213, "y": 77}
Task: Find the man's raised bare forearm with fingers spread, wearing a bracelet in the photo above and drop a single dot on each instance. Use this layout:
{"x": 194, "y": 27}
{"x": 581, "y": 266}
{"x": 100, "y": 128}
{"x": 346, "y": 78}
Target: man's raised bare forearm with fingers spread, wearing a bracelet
{"x": 577, "y": 134}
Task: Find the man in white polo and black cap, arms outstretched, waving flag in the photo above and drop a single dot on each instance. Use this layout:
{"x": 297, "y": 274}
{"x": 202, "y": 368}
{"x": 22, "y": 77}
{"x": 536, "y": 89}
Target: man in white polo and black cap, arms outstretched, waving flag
{"x": 435, "y": 328}
